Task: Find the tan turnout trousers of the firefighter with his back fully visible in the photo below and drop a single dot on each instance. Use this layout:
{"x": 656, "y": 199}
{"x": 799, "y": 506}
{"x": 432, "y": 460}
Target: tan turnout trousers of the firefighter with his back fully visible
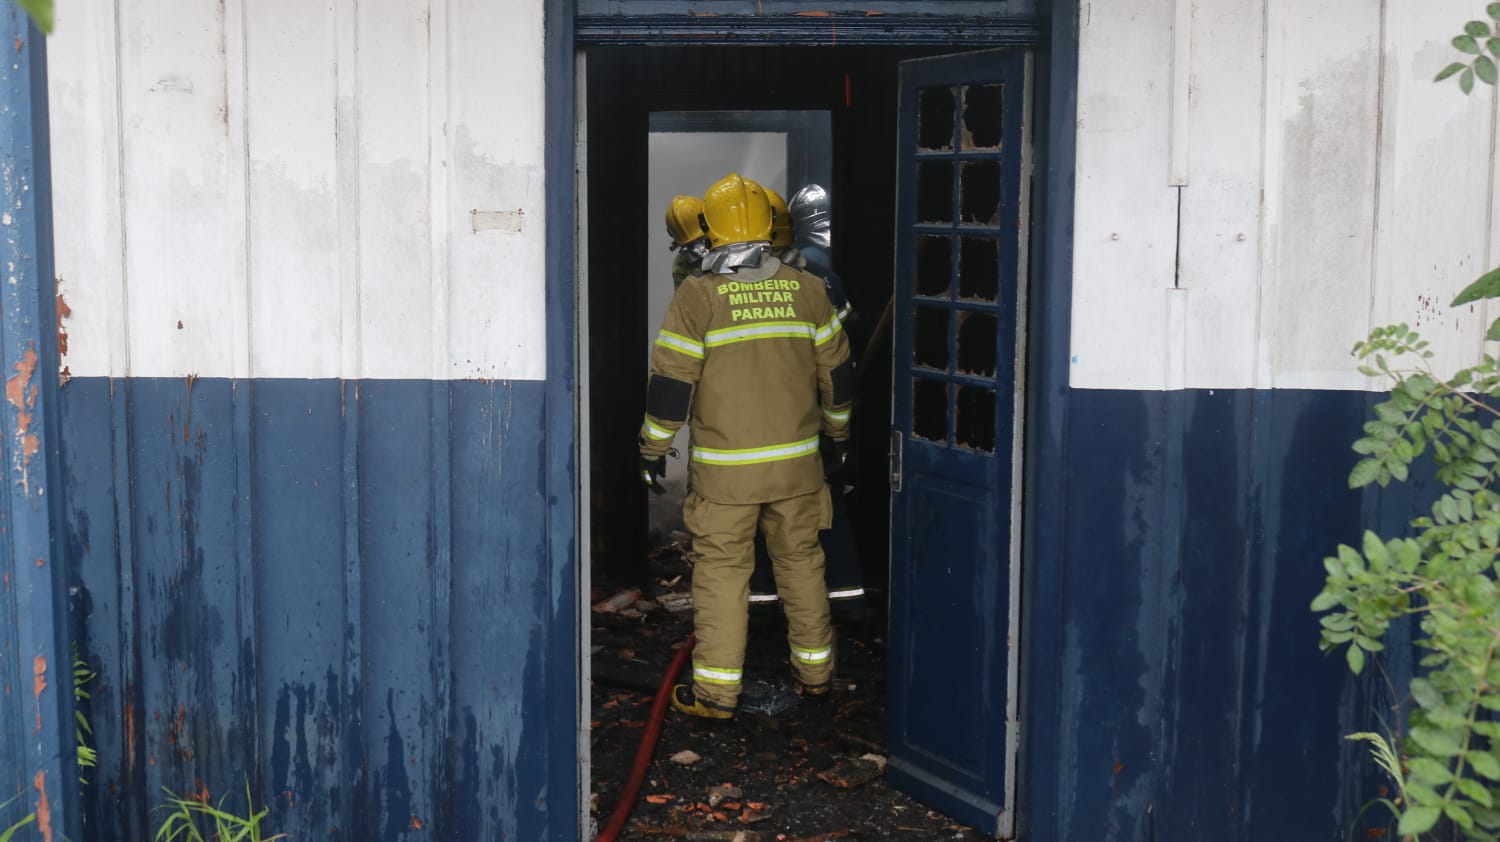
{"x": 724, "y": 540}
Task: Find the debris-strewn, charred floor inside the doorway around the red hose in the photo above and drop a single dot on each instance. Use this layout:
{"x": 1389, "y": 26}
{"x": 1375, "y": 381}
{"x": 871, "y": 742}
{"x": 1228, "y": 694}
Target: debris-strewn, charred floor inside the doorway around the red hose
{"x": 812, "y": 772}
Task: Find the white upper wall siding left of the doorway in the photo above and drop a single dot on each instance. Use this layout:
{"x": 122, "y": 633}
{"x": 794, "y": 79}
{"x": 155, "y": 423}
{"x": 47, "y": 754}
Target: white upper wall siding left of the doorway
{"x": 277, "y": 188}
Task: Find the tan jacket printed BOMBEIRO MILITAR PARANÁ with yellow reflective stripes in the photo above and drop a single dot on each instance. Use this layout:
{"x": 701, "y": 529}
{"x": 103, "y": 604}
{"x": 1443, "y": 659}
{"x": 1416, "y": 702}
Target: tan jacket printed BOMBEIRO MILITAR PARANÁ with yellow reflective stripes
{"x": 758, "y": 364}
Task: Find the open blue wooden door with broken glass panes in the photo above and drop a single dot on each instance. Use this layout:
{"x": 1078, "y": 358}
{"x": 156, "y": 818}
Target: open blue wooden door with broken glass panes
{"x": 961, "y": 296}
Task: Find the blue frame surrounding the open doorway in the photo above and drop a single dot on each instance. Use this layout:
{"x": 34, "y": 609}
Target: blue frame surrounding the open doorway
{"x": 1055, "y": 38}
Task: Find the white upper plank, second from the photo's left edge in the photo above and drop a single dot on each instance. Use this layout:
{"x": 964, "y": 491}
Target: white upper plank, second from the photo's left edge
{"x": 185, "y": 247}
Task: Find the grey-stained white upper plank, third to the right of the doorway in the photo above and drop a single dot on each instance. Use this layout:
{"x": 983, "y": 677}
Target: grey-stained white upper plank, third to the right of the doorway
{"x": 1327, "y": 119}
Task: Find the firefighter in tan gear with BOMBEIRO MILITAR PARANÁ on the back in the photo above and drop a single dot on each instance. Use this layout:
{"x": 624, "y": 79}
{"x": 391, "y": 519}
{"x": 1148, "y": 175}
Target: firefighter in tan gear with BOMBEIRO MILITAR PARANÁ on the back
{"x": 755, "y": 359}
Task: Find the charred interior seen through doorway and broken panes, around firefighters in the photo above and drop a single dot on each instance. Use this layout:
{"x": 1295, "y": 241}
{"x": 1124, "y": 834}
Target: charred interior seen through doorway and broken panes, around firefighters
{"x": 785, "y": 116}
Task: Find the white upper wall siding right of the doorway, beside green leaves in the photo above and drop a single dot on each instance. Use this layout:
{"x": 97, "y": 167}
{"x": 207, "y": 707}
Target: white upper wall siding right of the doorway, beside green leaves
{"x": 1324, "y": 187}
